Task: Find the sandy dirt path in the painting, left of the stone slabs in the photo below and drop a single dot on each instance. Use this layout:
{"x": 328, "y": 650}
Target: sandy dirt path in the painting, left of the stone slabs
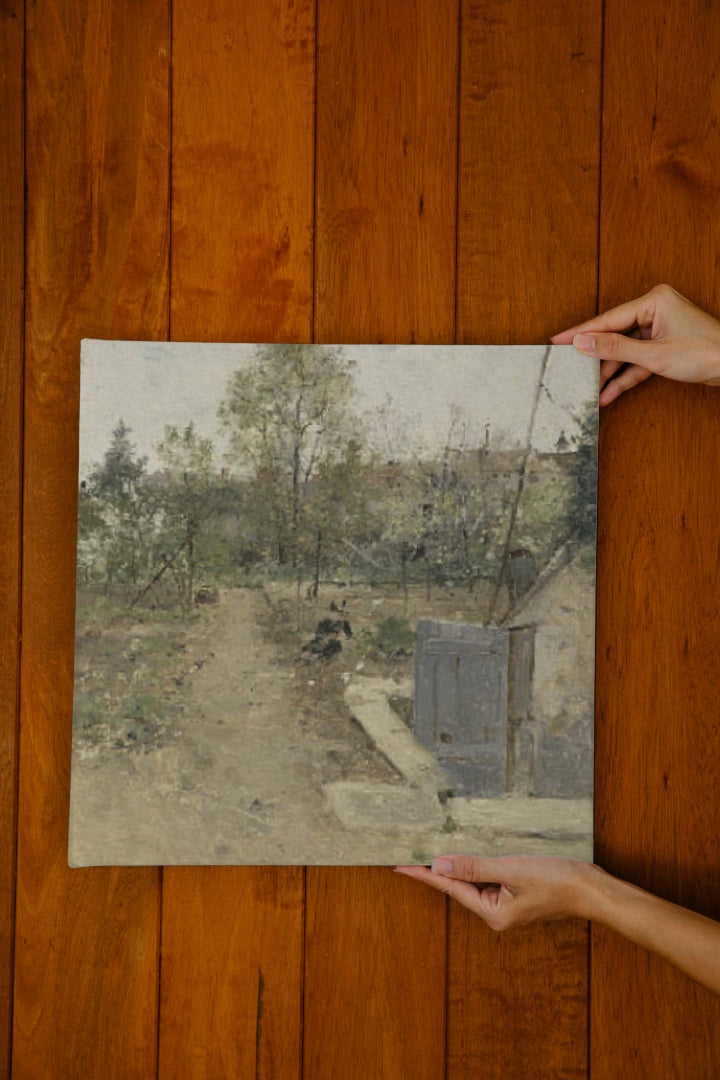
{"x": 241, "y": 785}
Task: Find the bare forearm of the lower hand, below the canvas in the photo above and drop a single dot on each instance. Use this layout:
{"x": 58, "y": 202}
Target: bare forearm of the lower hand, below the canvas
{"x": 687, "y": 940}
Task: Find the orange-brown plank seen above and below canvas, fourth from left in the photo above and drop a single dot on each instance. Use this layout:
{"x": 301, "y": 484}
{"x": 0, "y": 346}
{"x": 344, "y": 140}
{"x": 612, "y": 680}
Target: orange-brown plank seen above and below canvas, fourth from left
{"x": 385, "y": 272}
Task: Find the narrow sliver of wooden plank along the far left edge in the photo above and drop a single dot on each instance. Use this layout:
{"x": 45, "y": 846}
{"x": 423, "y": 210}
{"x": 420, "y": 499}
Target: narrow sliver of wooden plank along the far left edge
{"x": 12, "y": 241}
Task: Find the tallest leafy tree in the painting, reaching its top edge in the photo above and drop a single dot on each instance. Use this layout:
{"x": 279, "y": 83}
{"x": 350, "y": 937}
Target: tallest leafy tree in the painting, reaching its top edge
{"x": 291, "y": 431}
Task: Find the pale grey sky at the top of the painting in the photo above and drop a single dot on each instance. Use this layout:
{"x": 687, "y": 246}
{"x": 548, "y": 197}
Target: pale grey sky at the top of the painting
{"x": 150, "y": 385}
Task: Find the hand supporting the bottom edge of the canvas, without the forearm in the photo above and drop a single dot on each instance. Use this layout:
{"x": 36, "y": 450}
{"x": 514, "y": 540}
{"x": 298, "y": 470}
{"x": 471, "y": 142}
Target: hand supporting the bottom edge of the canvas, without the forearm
{"x": 513, "y": 890}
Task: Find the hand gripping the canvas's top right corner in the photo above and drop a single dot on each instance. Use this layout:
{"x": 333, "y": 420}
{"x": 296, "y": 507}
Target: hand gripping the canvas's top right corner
{"x": 661, "y": 333}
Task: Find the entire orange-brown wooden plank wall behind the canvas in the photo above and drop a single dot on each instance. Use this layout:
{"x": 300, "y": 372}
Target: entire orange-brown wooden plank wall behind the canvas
{"x": 358, "y": 171}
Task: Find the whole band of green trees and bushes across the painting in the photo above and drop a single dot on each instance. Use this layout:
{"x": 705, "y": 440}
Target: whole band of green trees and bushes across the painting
{"x": 309, "y": 499}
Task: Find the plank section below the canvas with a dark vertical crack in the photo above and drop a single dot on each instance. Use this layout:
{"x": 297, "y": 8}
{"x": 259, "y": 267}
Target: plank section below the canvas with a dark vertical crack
{"x": 232, "y": 1001}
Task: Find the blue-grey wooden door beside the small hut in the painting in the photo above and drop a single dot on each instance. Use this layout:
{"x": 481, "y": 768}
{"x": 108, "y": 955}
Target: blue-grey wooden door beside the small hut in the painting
{"x": 461, "y": 703}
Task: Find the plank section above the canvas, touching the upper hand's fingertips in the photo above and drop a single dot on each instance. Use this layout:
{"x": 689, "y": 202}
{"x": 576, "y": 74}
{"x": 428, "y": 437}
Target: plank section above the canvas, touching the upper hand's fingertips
{"x": 529, "y": 154}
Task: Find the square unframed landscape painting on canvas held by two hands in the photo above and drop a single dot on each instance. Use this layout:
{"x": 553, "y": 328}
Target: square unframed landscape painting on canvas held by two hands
{"x": 335, "y": 604}
